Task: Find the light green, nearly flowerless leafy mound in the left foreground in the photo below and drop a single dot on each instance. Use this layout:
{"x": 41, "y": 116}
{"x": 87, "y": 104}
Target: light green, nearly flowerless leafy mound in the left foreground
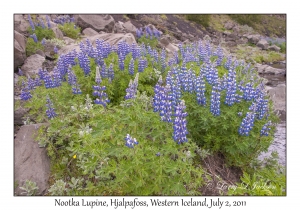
{"x": 112, "y": 168}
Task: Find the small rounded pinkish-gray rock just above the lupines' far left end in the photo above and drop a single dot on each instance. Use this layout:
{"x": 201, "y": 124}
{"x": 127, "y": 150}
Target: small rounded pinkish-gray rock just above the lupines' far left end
{"x": 33, "y": 64}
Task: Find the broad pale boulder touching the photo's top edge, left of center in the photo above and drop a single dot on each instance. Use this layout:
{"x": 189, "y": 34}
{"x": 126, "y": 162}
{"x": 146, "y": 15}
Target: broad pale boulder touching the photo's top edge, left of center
{"x": 97, "y": 22}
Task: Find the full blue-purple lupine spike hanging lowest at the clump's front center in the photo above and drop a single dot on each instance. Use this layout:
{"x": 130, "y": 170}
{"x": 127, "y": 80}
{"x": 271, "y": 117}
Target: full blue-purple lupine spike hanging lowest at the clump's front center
{"x": 179, "y": 125}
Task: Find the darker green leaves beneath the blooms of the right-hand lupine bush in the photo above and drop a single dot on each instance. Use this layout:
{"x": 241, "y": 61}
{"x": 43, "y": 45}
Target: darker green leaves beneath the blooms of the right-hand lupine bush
{"x": 220, "y": 134}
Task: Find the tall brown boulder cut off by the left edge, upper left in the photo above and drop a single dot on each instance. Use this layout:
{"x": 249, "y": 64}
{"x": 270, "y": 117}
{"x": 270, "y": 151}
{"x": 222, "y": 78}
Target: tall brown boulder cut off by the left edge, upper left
{"x": 19, "y": 49}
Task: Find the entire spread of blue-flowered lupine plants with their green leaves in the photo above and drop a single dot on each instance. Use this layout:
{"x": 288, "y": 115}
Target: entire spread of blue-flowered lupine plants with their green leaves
{"x": 127, "y": 116}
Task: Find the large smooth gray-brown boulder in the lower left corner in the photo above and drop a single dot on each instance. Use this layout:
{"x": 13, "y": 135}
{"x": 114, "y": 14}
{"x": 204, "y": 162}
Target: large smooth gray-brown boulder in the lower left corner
{"x": 30, "y": 161}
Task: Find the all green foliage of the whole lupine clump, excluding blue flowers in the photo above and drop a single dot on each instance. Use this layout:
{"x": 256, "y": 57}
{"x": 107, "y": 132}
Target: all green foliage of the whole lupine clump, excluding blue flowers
{"x": 86, "y": 141}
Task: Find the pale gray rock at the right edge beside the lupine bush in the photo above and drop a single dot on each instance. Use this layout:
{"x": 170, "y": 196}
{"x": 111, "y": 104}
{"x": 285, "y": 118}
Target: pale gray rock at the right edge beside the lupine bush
{"x": 278, "y": 96}
